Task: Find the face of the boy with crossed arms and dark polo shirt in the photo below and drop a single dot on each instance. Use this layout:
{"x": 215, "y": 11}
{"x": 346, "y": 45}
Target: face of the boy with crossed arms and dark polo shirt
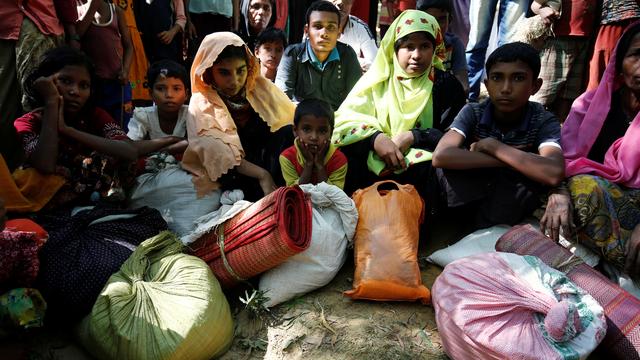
{"x": 510, "y": 85}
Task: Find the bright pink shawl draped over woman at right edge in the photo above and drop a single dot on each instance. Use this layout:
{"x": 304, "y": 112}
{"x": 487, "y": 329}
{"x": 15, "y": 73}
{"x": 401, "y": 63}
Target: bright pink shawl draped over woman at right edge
{"x": 582, "y": 127}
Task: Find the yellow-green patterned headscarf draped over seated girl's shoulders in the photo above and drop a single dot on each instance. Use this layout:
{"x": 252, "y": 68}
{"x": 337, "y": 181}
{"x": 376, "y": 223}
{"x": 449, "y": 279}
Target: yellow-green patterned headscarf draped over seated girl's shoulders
{"x": 386, "y": 98}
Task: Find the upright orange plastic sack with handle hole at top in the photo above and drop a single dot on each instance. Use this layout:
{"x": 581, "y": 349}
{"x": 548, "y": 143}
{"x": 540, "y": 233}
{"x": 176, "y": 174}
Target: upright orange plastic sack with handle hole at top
{"x": 386, "y": 244}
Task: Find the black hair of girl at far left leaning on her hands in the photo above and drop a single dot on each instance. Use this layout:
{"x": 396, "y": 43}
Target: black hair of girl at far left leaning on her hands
{"x": 53, "y": 61}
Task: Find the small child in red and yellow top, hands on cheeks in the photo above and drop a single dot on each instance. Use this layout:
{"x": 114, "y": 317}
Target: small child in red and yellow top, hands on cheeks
{"x": 312, "y": 158}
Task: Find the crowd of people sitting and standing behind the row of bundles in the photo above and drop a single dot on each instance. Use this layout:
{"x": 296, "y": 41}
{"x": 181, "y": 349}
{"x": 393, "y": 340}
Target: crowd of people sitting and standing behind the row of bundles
{"x": 89, "y": 88}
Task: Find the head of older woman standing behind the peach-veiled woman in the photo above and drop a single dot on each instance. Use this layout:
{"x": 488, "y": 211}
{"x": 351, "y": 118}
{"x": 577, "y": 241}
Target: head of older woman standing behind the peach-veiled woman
{"x": 255, "y": 16}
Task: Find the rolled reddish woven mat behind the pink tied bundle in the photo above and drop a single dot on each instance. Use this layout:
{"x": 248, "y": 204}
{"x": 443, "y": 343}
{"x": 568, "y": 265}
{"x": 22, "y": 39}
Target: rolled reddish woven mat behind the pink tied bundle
{"x": 621, "y": 308}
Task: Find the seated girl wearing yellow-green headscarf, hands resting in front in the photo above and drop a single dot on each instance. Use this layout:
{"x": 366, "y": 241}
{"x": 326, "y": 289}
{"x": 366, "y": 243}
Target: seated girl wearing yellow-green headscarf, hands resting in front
{"x": 397, "y": 112}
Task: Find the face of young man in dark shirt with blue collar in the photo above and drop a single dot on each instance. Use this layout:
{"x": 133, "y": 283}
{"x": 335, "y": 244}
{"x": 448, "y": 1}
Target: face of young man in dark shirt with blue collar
{"x": 322, "y": 30}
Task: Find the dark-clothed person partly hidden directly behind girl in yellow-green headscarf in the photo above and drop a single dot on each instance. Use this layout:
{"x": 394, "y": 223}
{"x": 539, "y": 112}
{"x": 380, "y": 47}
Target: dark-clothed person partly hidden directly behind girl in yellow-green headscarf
{"x": 455, "y": 60}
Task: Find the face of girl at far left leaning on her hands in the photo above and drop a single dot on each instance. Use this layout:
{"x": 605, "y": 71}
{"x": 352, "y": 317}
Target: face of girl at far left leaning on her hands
{"x": 74, "y": 84}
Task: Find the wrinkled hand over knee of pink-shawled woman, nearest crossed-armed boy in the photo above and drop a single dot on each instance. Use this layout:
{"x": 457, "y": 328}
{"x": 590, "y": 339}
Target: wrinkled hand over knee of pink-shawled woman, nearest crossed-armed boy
{"x": 558, "y": 215}
